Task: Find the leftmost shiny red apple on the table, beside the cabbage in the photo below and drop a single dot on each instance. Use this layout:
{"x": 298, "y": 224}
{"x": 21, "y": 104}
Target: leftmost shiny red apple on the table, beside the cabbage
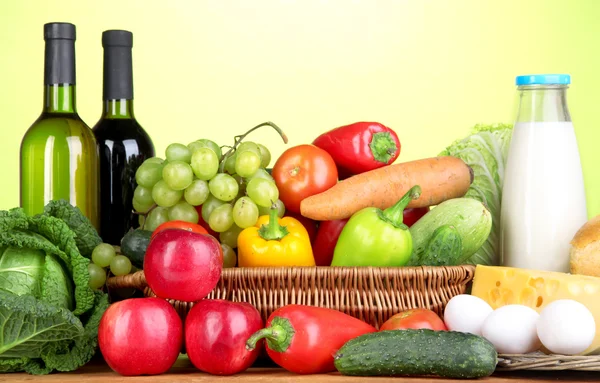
{"x": 140, "y": 336}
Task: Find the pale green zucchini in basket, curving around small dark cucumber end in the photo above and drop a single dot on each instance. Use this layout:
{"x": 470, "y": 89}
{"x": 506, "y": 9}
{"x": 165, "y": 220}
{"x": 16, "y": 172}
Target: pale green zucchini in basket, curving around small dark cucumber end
{"x": 470, "y": 217}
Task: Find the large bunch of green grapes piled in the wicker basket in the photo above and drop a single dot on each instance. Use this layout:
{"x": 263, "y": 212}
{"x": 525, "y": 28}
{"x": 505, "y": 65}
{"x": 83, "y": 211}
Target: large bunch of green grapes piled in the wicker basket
{"x": 229, "y": 191}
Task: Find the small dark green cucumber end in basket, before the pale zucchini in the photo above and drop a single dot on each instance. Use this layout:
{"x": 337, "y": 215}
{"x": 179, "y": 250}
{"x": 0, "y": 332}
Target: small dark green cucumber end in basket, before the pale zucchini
{"x": 444, "y": 247}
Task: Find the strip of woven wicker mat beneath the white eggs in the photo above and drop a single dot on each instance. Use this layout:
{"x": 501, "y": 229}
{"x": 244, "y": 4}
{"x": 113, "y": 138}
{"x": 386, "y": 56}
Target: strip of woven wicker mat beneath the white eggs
{"x": 543, "y": 362}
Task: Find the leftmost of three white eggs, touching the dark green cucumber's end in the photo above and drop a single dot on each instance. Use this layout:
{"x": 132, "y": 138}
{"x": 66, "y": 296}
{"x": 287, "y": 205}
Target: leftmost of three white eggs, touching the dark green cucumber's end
{"x": 466, "y": 313}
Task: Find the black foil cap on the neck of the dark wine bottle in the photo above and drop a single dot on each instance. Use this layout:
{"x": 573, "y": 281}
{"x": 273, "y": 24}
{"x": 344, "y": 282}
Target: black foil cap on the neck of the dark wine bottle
{"x": 118, "y": 68}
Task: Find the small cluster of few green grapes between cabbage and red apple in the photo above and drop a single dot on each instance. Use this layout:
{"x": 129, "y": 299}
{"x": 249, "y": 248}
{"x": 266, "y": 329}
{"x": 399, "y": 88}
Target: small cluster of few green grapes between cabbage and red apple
{"x": 103, "y": 257}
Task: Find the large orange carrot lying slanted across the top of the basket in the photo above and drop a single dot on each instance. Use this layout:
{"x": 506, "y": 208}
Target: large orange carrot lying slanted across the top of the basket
{"x": 440, "y": 179}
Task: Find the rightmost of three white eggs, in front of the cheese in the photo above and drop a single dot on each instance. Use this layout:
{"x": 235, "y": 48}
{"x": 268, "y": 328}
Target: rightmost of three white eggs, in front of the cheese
{"x": 566, "y": 327}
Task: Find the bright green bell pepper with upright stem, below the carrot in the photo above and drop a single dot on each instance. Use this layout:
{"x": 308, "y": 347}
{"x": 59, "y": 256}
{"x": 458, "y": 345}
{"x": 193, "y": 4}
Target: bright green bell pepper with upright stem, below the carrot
{"x": 375, "y": 237}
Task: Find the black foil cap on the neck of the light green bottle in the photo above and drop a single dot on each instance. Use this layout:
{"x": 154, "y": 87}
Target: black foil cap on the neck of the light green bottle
{"x": 59, "y": 60}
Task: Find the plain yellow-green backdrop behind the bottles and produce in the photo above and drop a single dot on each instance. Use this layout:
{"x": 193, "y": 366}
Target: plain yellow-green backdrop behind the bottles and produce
{"x": 428, "y": 69}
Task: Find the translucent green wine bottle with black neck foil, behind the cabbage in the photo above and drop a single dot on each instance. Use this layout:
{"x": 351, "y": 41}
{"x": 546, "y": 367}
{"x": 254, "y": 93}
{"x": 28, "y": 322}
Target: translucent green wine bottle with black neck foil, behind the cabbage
{"x": 59, "y": 157}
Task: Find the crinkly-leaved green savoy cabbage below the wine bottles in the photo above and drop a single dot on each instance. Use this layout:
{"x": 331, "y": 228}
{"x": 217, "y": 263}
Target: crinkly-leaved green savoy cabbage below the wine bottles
{"x": 49, "y": 315}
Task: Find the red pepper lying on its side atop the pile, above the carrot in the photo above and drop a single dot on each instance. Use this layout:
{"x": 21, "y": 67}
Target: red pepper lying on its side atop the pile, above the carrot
{"x": 360, "y": 147}
